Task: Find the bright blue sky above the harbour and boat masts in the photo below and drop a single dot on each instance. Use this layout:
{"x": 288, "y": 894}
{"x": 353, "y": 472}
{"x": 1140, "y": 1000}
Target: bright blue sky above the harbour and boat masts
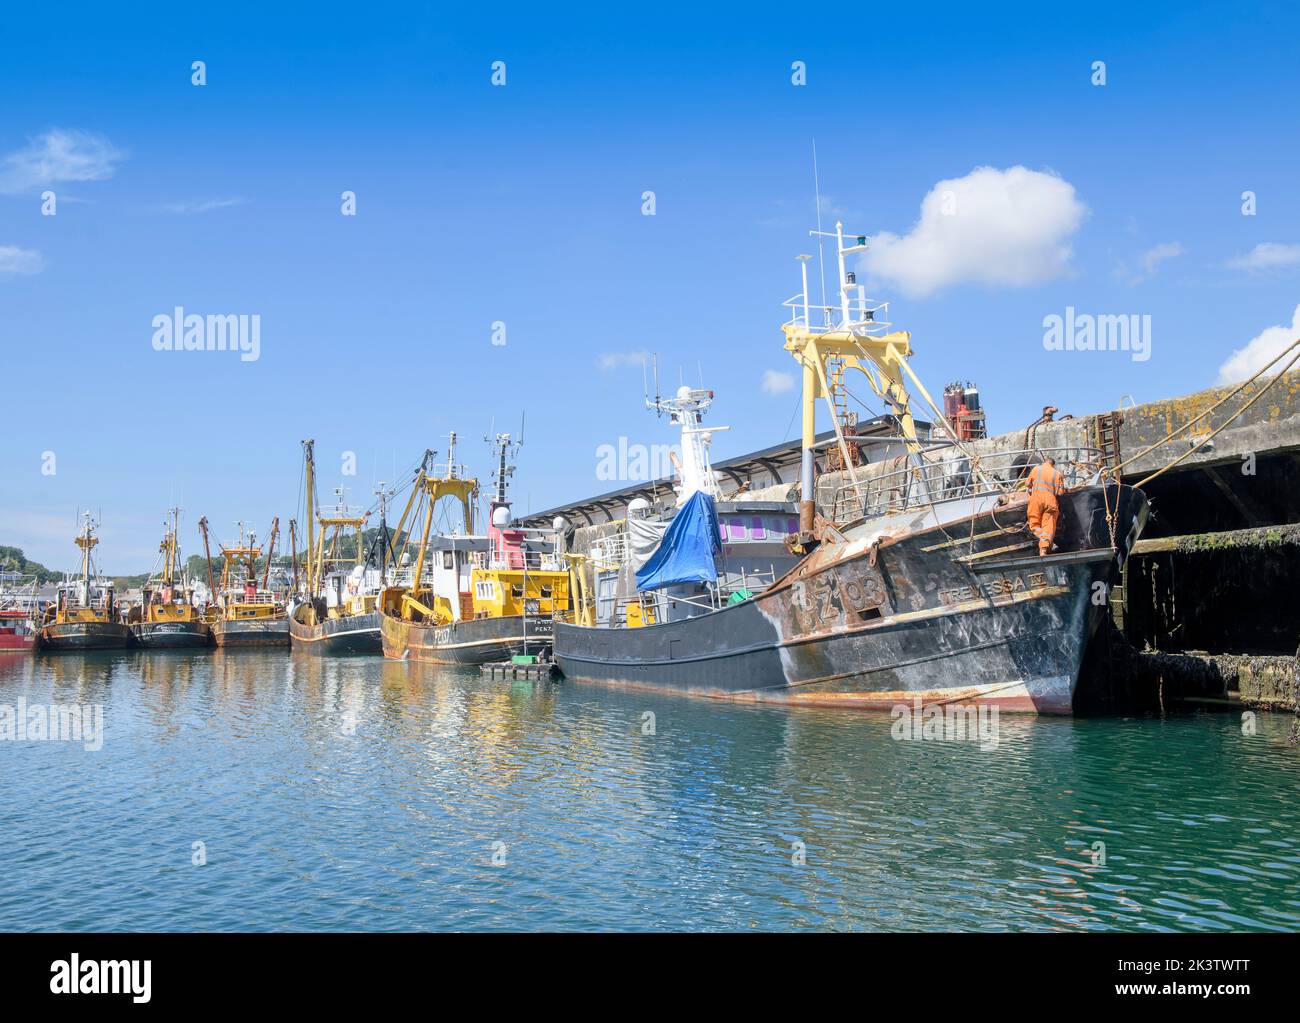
{"x": 523, "y": 205}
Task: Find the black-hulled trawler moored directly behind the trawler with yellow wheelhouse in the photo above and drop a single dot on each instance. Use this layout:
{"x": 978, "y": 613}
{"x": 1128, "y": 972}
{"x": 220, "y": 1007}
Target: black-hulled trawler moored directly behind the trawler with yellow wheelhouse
{"x": 339, "y": 614}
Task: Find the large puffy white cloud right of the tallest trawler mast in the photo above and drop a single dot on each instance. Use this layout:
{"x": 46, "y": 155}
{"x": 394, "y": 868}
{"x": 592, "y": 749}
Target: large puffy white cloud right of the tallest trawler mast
{"x": 1009, "y": 228}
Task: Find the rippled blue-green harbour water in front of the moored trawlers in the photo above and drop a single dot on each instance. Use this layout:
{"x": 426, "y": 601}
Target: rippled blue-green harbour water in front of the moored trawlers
{"x": 363, "y": 795}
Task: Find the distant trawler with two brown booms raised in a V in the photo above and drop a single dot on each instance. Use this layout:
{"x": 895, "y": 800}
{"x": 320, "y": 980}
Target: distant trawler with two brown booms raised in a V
{"x": 246, "y": 613}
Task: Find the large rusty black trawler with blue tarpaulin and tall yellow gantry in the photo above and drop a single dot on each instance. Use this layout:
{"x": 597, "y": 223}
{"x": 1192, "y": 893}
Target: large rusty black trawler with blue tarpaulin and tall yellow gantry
{"x": 921, "y": 584}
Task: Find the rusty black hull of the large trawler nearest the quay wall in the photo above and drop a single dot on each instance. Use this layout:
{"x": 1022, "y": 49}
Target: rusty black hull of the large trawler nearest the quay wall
{"x": 931, "y": 615}
